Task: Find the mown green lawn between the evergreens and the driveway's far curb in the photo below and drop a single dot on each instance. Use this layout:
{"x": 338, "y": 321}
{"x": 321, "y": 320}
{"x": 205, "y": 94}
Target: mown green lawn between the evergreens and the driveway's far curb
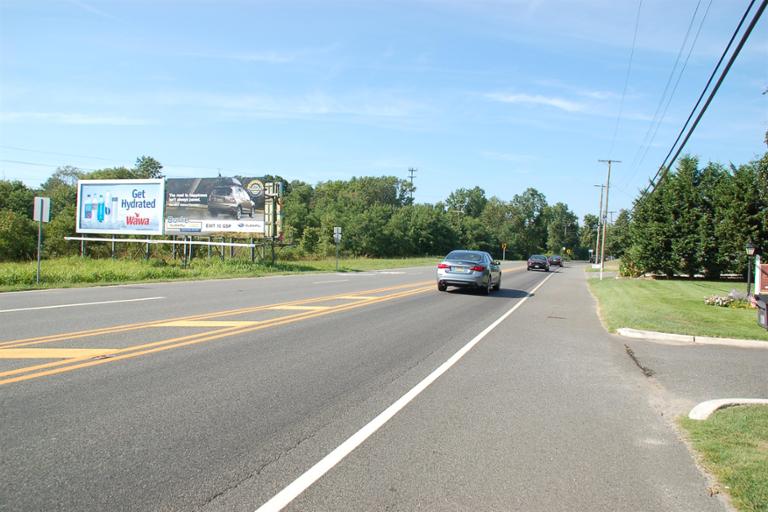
{"x": 674, "y": 306}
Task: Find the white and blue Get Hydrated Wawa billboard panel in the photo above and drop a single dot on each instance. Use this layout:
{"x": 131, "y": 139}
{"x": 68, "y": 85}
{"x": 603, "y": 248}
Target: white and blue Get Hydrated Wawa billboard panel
{"x": 120, "y": 207}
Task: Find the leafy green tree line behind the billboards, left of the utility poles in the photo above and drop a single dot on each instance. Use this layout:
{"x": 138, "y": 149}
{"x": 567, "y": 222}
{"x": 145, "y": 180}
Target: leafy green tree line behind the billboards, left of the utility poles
{"x": 377, "y": 215}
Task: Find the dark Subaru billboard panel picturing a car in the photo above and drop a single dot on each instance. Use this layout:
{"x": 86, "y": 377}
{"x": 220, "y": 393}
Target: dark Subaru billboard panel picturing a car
{"x": 207, "y": 206}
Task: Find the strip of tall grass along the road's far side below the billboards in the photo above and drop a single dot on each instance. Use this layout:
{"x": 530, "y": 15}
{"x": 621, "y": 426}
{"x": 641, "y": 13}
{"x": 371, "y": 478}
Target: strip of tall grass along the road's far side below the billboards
{"x": 75, "y": 271}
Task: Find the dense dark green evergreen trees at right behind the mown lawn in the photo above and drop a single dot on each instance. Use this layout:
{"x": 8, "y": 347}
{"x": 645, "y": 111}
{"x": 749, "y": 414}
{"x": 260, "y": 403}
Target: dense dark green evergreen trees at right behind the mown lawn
{"x": 697, "y": 221}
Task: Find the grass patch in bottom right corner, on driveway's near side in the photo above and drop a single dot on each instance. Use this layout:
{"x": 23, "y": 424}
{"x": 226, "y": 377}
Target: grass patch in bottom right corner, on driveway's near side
{"x": 733, "y": 444}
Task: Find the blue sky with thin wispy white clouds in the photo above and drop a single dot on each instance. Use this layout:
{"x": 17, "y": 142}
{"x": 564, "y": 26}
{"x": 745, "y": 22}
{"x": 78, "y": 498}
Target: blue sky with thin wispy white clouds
{"x": 504, "y": 95}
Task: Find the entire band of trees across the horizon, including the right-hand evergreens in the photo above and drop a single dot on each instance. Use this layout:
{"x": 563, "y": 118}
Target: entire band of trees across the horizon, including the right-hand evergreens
{"x": 696, "y": 221}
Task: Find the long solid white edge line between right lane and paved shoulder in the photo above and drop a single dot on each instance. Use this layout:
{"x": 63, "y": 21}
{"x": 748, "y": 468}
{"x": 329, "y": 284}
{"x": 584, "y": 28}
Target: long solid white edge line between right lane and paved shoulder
{"x": 288, "y": 494}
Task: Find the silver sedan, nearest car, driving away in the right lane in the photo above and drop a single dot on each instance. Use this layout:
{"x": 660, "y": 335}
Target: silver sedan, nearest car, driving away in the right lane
{"x": 469, "y": 269}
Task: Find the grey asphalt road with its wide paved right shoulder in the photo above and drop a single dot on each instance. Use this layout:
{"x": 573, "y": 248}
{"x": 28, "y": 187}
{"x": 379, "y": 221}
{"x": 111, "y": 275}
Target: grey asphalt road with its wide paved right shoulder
{"x": 217, "y": 395}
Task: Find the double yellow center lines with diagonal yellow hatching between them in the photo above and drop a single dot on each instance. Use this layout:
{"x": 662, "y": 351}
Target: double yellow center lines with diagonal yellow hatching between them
{"x": 77, "y": 358}
